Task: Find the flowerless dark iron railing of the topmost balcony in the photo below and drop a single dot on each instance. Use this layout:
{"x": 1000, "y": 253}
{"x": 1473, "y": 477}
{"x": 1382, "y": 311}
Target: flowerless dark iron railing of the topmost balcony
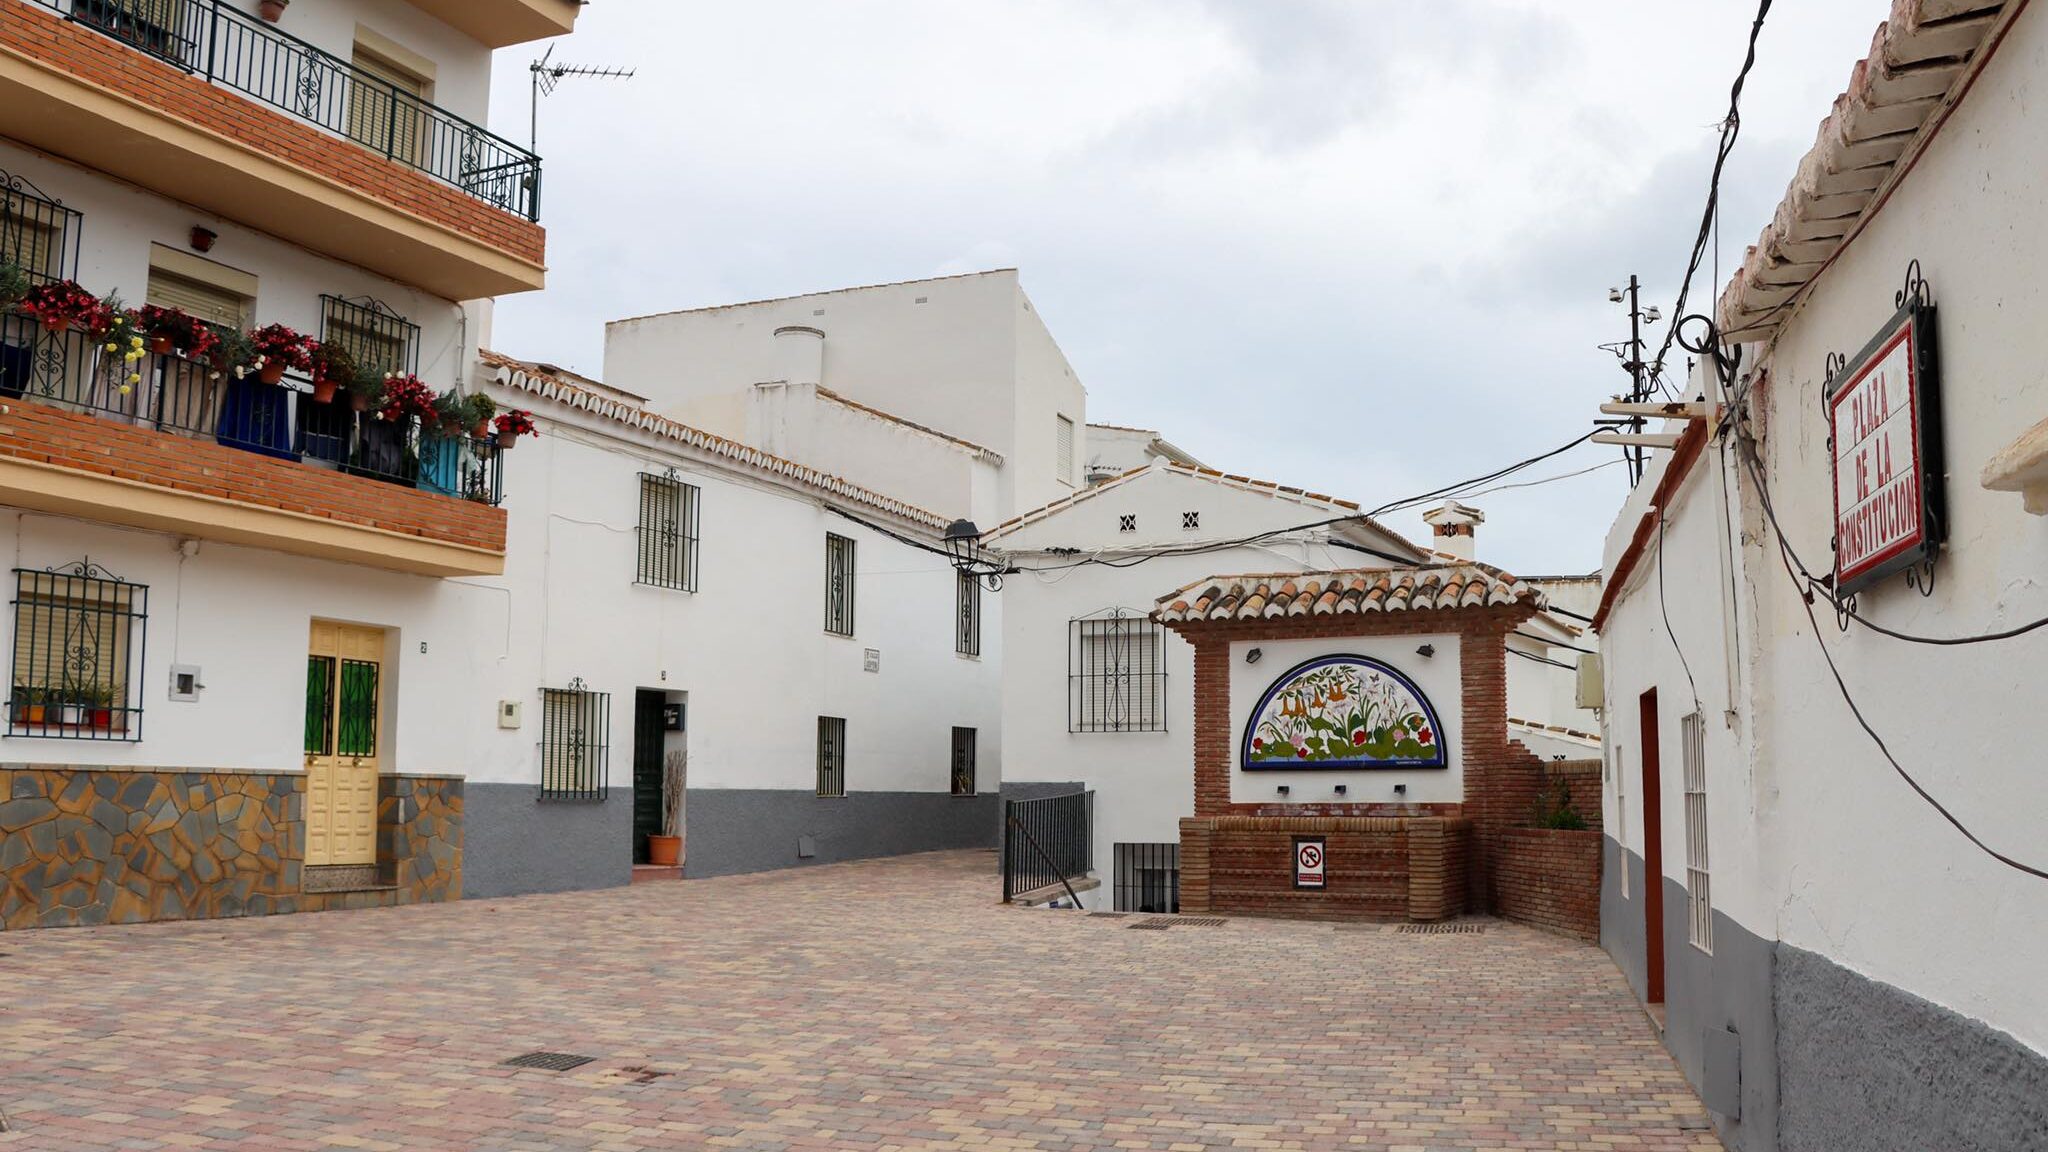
{"x": 234, "y": 50}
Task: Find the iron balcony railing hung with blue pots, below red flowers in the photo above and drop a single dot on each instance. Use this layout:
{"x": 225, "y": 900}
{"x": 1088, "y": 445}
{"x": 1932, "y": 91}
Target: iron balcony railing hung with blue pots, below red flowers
{"x": 189, "y": 399}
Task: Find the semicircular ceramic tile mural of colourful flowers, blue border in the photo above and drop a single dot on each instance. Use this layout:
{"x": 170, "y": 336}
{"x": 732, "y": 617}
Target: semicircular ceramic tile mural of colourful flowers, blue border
{"x": 1342, "y": 712}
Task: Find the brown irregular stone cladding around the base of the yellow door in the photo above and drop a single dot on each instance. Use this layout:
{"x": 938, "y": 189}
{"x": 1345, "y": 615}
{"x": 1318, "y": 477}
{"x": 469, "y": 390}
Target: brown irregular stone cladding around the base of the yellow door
{"x": 132, "y": 846}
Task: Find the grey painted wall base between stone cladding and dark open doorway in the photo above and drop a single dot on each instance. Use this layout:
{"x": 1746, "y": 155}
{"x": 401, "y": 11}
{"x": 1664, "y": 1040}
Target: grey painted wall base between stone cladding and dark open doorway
{"x": 515, "y": 844}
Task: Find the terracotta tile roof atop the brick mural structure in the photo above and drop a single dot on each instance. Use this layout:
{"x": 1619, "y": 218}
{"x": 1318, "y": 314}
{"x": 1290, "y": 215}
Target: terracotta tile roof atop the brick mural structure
{"x": 1437, "y": 587}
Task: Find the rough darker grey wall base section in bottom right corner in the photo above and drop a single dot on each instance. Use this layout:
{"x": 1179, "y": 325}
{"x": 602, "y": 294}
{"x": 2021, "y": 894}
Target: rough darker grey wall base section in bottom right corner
{"x": 1875, "y": 1069}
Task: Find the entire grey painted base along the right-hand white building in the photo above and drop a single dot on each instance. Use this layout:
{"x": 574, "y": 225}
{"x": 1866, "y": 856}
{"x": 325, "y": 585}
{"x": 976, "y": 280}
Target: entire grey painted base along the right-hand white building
{"x": 1830, "y": 1061}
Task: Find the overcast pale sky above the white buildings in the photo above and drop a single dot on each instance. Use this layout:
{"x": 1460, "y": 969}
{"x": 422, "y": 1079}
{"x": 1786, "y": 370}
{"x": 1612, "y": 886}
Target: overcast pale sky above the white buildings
{"x": 1351, "y": 245}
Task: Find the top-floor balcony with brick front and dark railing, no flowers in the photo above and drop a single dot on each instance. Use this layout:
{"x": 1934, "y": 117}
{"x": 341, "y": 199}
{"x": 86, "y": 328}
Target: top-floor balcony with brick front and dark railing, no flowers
{"x": 210, "y": 106}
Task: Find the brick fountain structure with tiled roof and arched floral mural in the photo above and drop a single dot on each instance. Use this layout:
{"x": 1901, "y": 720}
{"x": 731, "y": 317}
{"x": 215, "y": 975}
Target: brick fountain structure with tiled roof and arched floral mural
{"x": 1365, "y": 714}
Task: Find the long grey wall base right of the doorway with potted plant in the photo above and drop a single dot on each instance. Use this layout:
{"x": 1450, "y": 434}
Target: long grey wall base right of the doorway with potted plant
{"x": 734, "y": 831}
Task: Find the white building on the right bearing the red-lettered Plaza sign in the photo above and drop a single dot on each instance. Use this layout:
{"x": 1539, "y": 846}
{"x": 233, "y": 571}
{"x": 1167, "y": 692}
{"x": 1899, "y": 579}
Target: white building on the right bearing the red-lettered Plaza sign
{"x": 1836, "y": 964}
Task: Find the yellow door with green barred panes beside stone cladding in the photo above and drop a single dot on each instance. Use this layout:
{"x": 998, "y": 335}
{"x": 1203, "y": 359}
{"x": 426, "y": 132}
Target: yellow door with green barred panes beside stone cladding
{"x": 343, "y": 694}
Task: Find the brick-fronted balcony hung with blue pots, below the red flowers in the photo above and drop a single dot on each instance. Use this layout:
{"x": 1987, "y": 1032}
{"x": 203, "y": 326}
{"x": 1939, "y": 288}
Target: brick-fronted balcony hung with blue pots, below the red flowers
{"x": 171, "y": 446}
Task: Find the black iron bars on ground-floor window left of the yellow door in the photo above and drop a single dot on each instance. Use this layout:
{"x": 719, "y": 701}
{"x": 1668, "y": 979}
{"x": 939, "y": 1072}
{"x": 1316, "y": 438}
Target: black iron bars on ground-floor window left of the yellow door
{"x": 79, "y": 655}
